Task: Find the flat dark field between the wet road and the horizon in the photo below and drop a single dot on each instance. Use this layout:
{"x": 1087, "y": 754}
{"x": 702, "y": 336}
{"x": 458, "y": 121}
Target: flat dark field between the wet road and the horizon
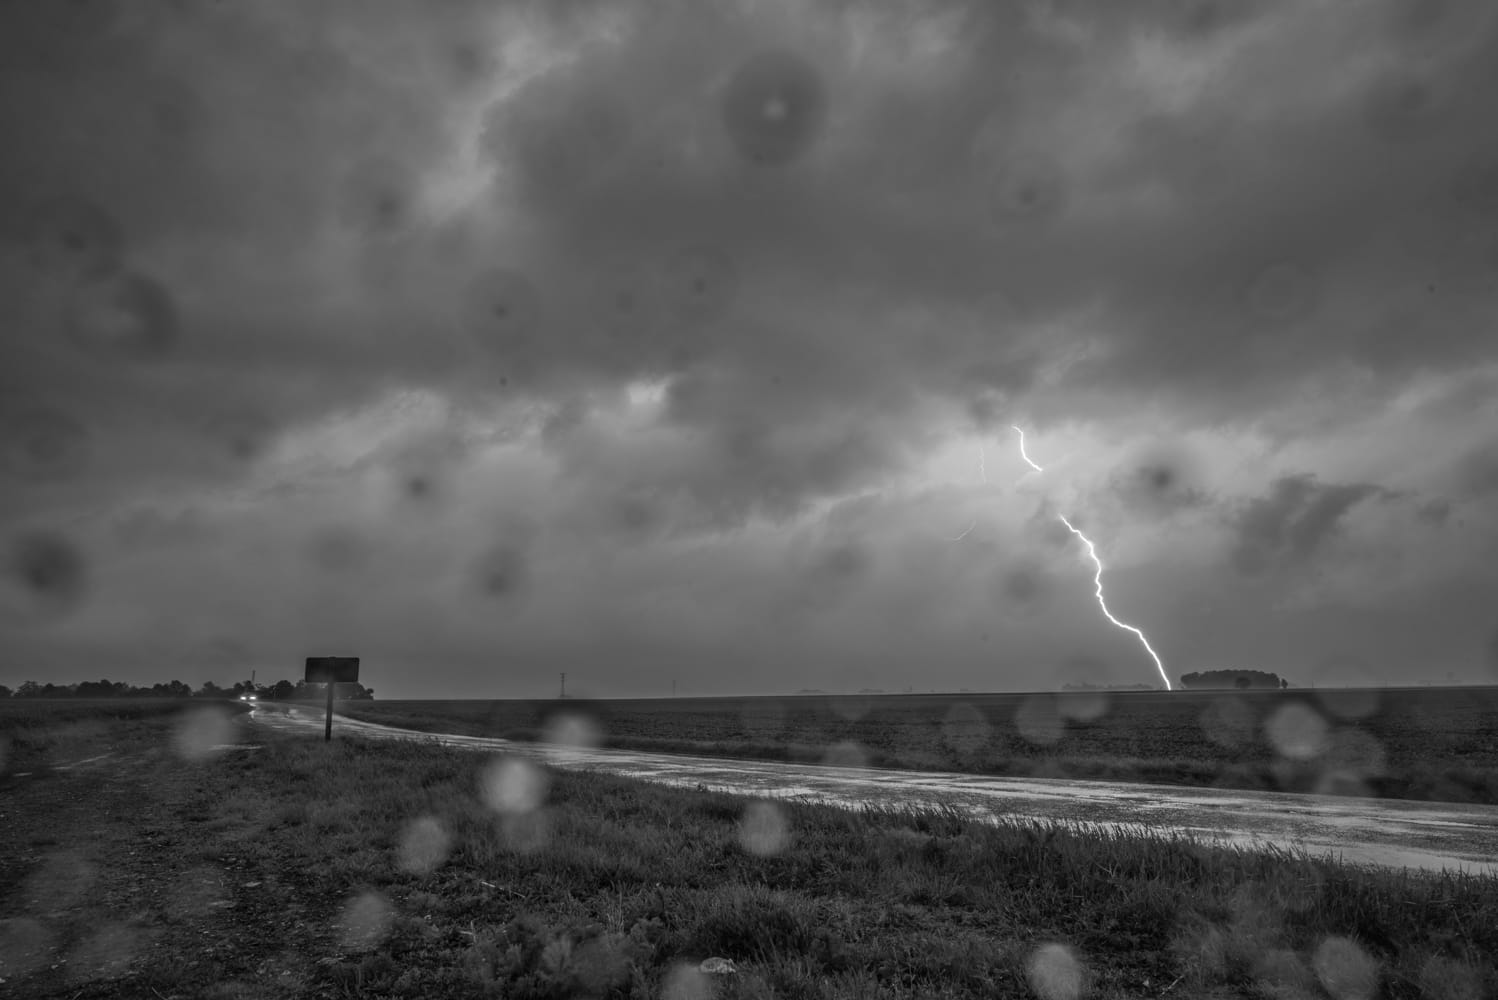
{"x": 1427, "y": 743}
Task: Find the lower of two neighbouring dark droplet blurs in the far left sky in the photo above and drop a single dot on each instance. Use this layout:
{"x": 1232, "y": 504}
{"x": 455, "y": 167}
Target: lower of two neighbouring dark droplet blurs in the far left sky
{"x": 127, "y": 318}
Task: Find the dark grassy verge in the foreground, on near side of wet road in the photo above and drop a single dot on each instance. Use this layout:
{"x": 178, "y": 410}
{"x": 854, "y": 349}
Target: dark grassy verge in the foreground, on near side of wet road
{"x": 302, "y": 869}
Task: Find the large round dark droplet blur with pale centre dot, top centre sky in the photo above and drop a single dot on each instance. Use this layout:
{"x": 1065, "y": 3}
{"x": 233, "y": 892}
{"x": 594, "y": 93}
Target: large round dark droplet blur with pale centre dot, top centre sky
{"x": 774, "y": 109}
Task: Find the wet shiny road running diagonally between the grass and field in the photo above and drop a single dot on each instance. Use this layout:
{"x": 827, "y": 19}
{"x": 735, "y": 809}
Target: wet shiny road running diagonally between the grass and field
{"x": 1368, "y": 832}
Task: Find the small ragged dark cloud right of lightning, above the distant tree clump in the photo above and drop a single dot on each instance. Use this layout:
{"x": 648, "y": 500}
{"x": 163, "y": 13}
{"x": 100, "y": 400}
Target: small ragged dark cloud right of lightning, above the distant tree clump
{"x": 1294, "y": 523}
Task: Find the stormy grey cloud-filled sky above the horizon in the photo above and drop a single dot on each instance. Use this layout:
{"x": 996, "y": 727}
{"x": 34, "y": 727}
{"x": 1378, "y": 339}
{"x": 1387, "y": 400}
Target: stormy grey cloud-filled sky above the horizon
{"x": 685, "y": 342}
